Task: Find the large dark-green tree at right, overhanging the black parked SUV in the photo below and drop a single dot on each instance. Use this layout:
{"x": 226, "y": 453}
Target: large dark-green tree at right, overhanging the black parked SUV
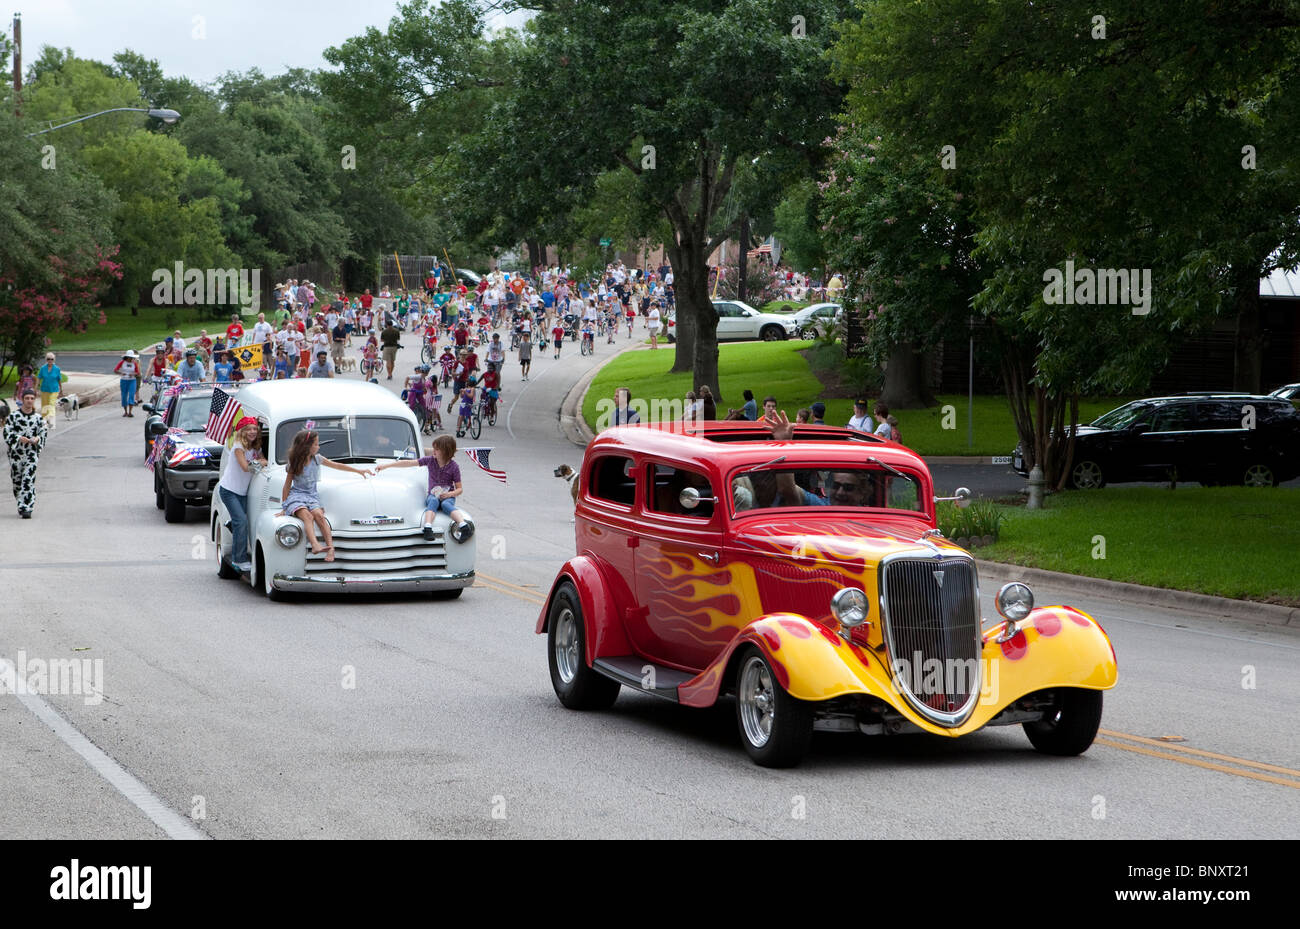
{"x": 1110, "y": 142}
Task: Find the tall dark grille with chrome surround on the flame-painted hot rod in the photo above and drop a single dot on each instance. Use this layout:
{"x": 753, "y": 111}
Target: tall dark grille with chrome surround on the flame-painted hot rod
{"x": 928, "y": 620}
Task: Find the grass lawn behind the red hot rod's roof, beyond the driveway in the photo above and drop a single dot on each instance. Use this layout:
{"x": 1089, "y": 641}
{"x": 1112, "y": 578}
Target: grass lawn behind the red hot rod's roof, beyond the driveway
{"x": 777, "y": 368}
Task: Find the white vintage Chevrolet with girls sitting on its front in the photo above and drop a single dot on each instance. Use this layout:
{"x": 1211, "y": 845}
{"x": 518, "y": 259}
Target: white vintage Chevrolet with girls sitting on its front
{"x": 379, "y": 546}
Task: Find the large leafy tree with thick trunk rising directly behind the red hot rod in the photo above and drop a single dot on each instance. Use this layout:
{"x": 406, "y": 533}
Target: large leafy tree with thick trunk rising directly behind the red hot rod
{"x": 683, "y": 95}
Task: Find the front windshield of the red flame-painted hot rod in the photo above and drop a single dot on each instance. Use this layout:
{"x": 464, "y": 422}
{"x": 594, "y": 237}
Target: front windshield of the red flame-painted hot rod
{"x": 782, "y": 489}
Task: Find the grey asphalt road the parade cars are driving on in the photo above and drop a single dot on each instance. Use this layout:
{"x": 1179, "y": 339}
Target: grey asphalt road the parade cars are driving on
{"x": 233, "y": 713}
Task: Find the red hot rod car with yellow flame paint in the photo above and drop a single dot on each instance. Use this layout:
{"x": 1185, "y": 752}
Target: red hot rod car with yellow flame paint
{"x": 805, "y": 576}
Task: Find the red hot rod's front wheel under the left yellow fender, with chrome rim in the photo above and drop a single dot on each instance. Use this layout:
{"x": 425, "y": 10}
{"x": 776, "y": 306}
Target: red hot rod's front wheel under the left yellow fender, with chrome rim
{"x": 774, "y": 727}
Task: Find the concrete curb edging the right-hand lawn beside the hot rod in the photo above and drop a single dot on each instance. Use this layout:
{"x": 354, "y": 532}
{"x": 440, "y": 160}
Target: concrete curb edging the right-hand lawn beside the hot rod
{"x": 1219, "y": 607}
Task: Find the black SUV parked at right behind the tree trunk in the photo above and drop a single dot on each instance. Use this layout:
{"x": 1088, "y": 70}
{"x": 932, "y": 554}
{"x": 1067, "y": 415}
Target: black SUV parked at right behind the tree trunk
{"x": 1212, "y": 439}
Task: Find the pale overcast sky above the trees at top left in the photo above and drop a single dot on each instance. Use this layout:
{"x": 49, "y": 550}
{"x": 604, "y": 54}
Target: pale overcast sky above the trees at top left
{"x": 201, "y": 40}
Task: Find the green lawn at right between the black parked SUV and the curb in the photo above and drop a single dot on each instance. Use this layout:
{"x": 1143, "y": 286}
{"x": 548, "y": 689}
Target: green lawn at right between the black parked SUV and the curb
{"x": 1236, "y": 542}
